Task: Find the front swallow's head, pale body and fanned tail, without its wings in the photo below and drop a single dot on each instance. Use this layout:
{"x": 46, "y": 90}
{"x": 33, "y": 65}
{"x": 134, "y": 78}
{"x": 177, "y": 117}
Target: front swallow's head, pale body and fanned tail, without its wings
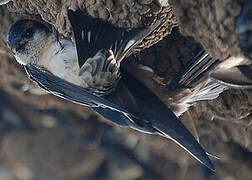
{"x": 97, "y": 66}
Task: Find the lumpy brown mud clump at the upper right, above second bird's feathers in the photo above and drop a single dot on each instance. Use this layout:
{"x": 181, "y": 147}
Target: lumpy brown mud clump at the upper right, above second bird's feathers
{"x": 211, "y": 23}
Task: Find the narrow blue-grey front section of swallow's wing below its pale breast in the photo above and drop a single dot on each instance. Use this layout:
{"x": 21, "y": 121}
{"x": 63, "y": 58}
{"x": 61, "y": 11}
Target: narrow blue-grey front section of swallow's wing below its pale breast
{"x": 71, "y": 92}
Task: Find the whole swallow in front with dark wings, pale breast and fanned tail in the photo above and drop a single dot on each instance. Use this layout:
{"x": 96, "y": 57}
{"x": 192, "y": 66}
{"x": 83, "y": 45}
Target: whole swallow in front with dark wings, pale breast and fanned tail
{"x": 89, "y": 74}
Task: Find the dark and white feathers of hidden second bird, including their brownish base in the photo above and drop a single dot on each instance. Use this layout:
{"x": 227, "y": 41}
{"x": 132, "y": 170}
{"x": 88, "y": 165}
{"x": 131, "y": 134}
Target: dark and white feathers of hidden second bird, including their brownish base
{"x": 195, "y": 82}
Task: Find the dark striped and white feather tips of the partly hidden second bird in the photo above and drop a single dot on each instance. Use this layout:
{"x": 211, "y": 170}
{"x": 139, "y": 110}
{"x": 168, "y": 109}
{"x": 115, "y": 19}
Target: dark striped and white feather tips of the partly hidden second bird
{"x": 196, "y": 75}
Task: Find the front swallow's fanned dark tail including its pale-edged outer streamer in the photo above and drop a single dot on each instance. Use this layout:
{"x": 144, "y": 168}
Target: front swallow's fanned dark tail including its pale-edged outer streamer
{"x": 93, "y": 34}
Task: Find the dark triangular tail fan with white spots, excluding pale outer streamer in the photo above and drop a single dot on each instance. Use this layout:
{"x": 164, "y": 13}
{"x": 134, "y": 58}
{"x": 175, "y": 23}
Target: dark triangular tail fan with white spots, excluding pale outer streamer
{"x": 92, "y": 34}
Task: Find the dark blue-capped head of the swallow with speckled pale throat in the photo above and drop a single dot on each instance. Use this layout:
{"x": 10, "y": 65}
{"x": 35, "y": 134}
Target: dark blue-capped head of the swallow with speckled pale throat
{"x": 25, "y": 39}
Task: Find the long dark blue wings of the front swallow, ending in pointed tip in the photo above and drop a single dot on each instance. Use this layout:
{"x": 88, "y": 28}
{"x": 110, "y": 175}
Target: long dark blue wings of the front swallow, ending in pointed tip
{"x": 162, "y": 120}
